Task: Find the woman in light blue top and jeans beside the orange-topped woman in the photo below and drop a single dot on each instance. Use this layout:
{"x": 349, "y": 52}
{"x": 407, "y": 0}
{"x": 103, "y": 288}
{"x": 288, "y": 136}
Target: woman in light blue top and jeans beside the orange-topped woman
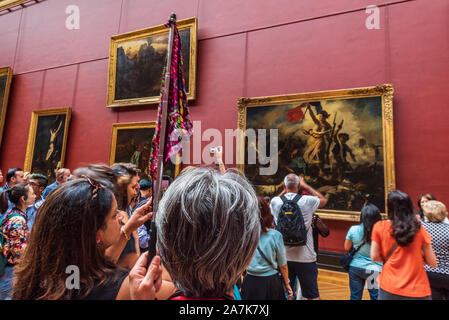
{"x": 362, "y": 268}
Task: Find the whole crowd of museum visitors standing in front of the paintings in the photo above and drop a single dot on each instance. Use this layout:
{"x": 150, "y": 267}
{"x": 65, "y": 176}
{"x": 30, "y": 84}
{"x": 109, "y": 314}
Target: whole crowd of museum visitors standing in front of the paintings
{"x": 216, "y": 239}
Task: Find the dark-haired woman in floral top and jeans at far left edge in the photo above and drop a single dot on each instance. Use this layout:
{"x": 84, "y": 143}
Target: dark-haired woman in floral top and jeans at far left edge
{"x": 15, "y": 231}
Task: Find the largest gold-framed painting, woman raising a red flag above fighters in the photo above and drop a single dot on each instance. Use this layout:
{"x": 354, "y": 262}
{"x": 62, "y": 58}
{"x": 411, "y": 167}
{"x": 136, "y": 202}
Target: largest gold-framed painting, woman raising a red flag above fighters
{"x": 340, "y": 141}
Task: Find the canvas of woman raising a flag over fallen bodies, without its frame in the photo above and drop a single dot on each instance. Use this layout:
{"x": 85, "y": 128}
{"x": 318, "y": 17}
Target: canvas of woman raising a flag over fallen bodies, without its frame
{"x": 336, "y": 145}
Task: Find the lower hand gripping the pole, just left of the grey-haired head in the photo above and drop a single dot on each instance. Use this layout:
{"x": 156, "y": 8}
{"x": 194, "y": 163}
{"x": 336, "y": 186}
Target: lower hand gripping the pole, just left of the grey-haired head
{"x": 145, "y": 283}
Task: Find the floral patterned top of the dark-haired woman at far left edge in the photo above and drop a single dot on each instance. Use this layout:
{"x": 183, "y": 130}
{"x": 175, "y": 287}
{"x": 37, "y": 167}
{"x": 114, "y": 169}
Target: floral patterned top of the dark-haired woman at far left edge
{"x": 15, "y": 233}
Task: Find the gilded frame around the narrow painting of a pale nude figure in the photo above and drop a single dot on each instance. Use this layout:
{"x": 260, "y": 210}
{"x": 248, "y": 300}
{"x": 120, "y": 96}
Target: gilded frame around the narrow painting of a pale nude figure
{"x": 32, "y": 133}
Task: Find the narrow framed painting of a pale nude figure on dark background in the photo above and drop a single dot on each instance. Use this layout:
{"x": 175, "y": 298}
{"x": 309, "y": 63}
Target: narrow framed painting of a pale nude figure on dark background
{"x": 47, "y": 141}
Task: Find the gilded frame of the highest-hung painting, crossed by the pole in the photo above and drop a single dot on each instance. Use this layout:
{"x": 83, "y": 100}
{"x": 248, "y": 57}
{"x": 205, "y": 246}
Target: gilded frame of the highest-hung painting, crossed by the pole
{"x": 135, "y": 35}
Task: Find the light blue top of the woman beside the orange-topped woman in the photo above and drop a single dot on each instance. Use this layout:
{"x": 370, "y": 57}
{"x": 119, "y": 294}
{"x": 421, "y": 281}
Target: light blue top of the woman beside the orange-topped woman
{"x": 362, "y": 258}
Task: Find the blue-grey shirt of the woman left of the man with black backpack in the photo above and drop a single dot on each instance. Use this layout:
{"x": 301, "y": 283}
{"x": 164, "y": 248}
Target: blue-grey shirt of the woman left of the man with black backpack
{"x": 271, "y": 244}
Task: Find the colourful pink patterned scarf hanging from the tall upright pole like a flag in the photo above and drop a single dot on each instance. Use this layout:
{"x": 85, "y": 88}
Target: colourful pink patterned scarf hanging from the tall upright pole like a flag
{"x": 179, "y": 124}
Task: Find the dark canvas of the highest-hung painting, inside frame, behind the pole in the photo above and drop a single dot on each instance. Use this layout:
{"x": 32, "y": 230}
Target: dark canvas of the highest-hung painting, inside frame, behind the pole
{"x": 140, "y": 65}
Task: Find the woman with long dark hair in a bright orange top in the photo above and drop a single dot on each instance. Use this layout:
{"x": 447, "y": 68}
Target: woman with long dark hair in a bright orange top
{"x": 403, "y": 245}
